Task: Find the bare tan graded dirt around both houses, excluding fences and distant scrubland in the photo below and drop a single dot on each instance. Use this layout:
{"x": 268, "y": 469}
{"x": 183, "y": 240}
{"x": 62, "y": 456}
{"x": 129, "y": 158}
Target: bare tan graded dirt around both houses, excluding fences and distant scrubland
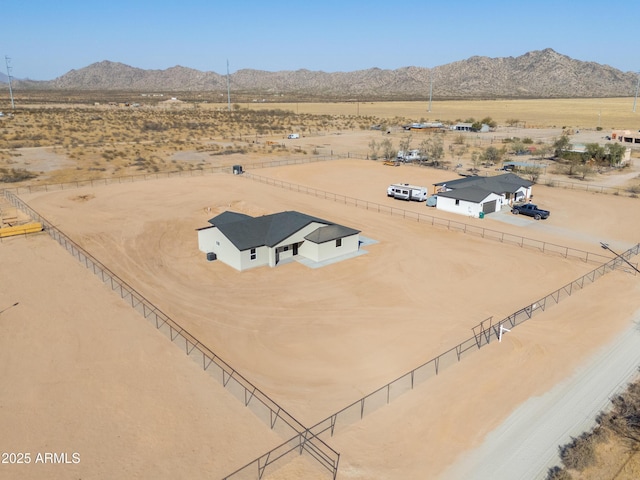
{"x": 314, "y": 339}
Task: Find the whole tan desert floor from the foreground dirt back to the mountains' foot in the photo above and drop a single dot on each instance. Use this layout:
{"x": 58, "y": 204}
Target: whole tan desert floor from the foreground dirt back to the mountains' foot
{"x": 86, "y": 375}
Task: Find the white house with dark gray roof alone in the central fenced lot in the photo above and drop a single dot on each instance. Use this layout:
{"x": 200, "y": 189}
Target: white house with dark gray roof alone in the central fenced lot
{"x": 244, "y": 242}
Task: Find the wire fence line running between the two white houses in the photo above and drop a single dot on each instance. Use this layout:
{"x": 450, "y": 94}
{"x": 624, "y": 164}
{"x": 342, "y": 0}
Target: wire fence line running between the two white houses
{"x": 503, "y": 237}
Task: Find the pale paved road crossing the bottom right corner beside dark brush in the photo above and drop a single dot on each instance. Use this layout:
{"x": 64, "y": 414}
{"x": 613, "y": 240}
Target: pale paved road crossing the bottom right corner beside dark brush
{"x": 525, "y": 446}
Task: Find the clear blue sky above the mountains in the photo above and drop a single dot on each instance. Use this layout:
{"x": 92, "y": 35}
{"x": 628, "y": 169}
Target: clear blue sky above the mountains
{"x": 45, "y": 39}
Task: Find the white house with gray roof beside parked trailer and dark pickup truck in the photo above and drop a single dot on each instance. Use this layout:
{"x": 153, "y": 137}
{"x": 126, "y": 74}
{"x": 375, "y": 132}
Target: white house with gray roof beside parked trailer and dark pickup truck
{"x": 474, "y": 195}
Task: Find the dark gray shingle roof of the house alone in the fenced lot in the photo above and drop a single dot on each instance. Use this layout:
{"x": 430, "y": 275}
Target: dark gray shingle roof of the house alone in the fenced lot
{"x": 247, "y": 232}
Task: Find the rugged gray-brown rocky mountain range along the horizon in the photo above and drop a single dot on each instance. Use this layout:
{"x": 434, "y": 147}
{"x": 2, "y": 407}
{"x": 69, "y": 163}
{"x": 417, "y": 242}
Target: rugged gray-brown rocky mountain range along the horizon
{"x": 536, "y": 74}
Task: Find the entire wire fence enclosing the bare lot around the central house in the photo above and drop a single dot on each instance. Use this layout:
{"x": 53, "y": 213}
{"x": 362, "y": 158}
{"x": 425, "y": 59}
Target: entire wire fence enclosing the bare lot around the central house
{"x": 302, "y": 440}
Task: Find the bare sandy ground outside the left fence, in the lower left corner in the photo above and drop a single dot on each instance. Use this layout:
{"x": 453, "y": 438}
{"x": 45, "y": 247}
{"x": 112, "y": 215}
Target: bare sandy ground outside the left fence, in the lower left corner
{"x": 83, "y": 373}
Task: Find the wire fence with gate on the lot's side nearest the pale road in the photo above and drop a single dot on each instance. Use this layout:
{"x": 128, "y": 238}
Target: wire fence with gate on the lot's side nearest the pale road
{"x": 483, "y": 334}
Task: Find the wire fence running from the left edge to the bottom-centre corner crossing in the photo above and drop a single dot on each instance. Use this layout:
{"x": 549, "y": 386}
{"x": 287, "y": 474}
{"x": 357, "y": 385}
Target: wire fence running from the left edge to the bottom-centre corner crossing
{"x": 278, "y": 419}
